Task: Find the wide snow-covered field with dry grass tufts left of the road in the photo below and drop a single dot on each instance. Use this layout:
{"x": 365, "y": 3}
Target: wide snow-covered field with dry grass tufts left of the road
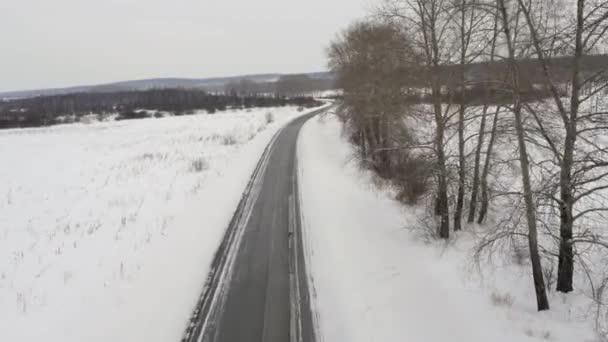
{"x": 107, "y": 230}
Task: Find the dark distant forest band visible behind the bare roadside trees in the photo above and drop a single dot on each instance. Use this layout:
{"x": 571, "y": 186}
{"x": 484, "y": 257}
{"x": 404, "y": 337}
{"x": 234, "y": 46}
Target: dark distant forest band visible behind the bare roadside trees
{"x": 487, "y": 82}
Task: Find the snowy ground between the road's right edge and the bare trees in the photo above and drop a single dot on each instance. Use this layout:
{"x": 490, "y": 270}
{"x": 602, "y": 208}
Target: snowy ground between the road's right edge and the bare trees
{"x": 375, "y": 282}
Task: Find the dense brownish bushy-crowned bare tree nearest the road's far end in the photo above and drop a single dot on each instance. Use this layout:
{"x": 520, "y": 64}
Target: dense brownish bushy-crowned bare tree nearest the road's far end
{"x": 368, "y": 58}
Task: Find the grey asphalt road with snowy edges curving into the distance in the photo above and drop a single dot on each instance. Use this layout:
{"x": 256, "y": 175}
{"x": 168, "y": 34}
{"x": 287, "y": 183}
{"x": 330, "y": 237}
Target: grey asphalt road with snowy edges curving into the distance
{"x": 257, "y": 290}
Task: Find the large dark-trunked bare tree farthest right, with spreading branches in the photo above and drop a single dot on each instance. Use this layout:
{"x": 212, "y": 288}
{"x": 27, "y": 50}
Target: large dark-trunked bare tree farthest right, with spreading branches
{"x": 579, "y": 158}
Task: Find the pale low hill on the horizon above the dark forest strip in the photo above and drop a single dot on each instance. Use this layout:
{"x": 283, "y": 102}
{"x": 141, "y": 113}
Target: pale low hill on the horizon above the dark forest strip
{"x": 158, "y": 83}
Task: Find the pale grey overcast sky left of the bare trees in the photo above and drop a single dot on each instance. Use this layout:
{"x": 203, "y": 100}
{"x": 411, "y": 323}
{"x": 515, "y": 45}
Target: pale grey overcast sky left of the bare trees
{"x": 56, "y": 43}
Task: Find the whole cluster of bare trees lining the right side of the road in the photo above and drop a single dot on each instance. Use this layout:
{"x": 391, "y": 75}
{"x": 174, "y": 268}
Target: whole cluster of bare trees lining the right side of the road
{"x": 543, "y": 158}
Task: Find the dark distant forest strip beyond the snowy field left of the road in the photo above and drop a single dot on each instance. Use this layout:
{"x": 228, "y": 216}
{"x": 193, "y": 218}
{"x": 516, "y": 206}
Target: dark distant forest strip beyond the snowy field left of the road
{"x": 49, "y": 110}
